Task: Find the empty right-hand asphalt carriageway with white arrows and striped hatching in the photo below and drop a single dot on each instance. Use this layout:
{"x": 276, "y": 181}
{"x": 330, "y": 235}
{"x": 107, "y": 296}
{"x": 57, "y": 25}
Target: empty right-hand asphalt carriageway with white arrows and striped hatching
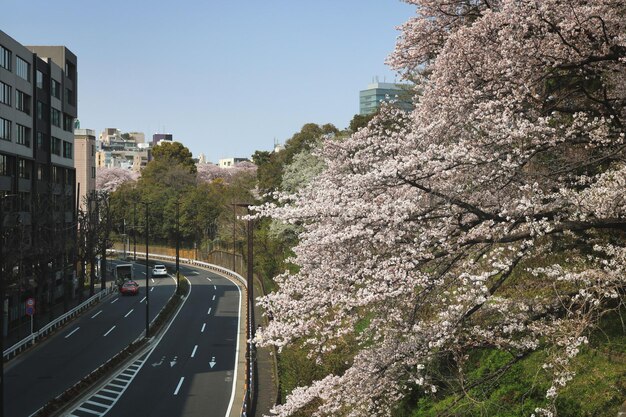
{"x": 191, "y": 371}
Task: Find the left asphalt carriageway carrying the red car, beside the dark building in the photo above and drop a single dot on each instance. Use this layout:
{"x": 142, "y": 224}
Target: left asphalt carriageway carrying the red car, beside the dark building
{"x": 56, "y": 364}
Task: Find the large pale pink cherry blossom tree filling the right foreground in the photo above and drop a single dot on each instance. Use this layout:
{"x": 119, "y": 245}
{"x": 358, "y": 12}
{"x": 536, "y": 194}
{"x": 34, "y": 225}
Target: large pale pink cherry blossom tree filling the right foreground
{"x": 493, "y": 215}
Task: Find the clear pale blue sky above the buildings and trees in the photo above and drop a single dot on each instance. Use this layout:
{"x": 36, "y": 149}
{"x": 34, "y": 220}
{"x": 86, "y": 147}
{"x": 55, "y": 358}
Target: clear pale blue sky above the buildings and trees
{"x": 225, "y": 77}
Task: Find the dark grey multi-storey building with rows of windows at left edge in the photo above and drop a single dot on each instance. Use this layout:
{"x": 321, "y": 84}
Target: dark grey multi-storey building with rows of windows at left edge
{"x": 38, "y": 106}
